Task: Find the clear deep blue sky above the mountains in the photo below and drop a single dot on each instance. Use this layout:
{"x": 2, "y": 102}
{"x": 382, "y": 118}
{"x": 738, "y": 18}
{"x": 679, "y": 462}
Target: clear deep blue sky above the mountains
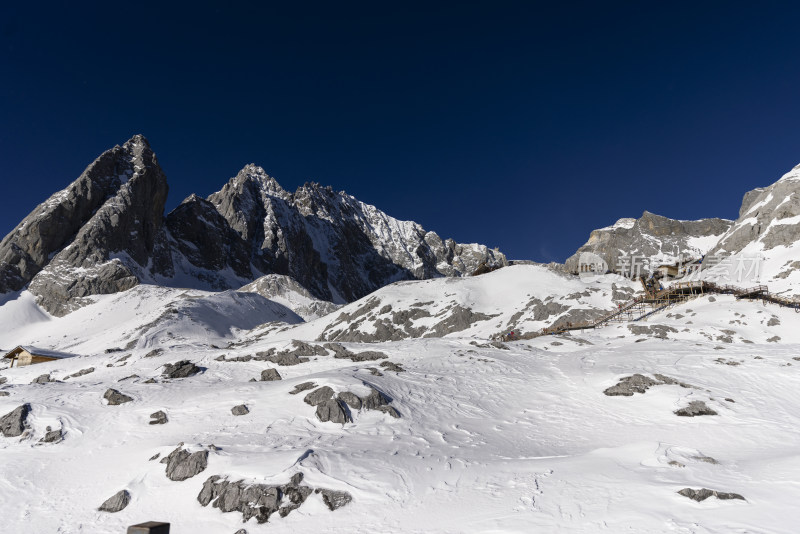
{"x": 522, "y": 125}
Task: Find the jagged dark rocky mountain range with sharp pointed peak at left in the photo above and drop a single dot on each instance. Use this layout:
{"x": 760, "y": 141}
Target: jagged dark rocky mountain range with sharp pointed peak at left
{"x": 107, "y": 232}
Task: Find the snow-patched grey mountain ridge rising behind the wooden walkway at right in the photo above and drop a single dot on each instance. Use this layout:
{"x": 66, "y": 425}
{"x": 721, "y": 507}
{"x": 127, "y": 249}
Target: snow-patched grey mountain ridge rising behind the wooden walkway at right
{"x": 763, "y": 243}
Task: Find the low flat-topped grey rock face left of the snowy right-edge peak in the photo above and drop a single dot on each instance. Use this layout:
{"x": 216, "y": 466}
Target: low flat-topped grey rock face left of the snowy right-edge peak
{"x": 646, "y": 236}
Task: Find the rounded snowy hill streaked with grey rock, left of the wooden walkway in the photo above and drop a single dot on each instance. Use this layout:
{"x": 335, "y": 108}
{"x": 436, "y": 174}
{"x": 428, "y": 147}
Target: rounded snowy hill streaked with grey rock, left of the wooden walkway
{"x": 521, "y": 298}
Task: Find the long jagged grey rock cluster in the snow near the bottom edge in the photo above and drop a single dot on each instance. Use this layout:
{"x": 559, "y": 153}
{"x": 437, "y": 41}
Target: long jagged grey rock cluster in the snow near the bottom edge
{"x": 260, "y": 501}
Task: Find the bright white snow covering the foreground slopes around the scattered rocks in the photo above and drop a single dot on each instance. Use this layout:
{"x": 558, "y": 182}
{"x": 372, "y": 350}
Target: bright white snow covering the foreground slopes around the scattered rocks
{"x": 514, "y": 437}
